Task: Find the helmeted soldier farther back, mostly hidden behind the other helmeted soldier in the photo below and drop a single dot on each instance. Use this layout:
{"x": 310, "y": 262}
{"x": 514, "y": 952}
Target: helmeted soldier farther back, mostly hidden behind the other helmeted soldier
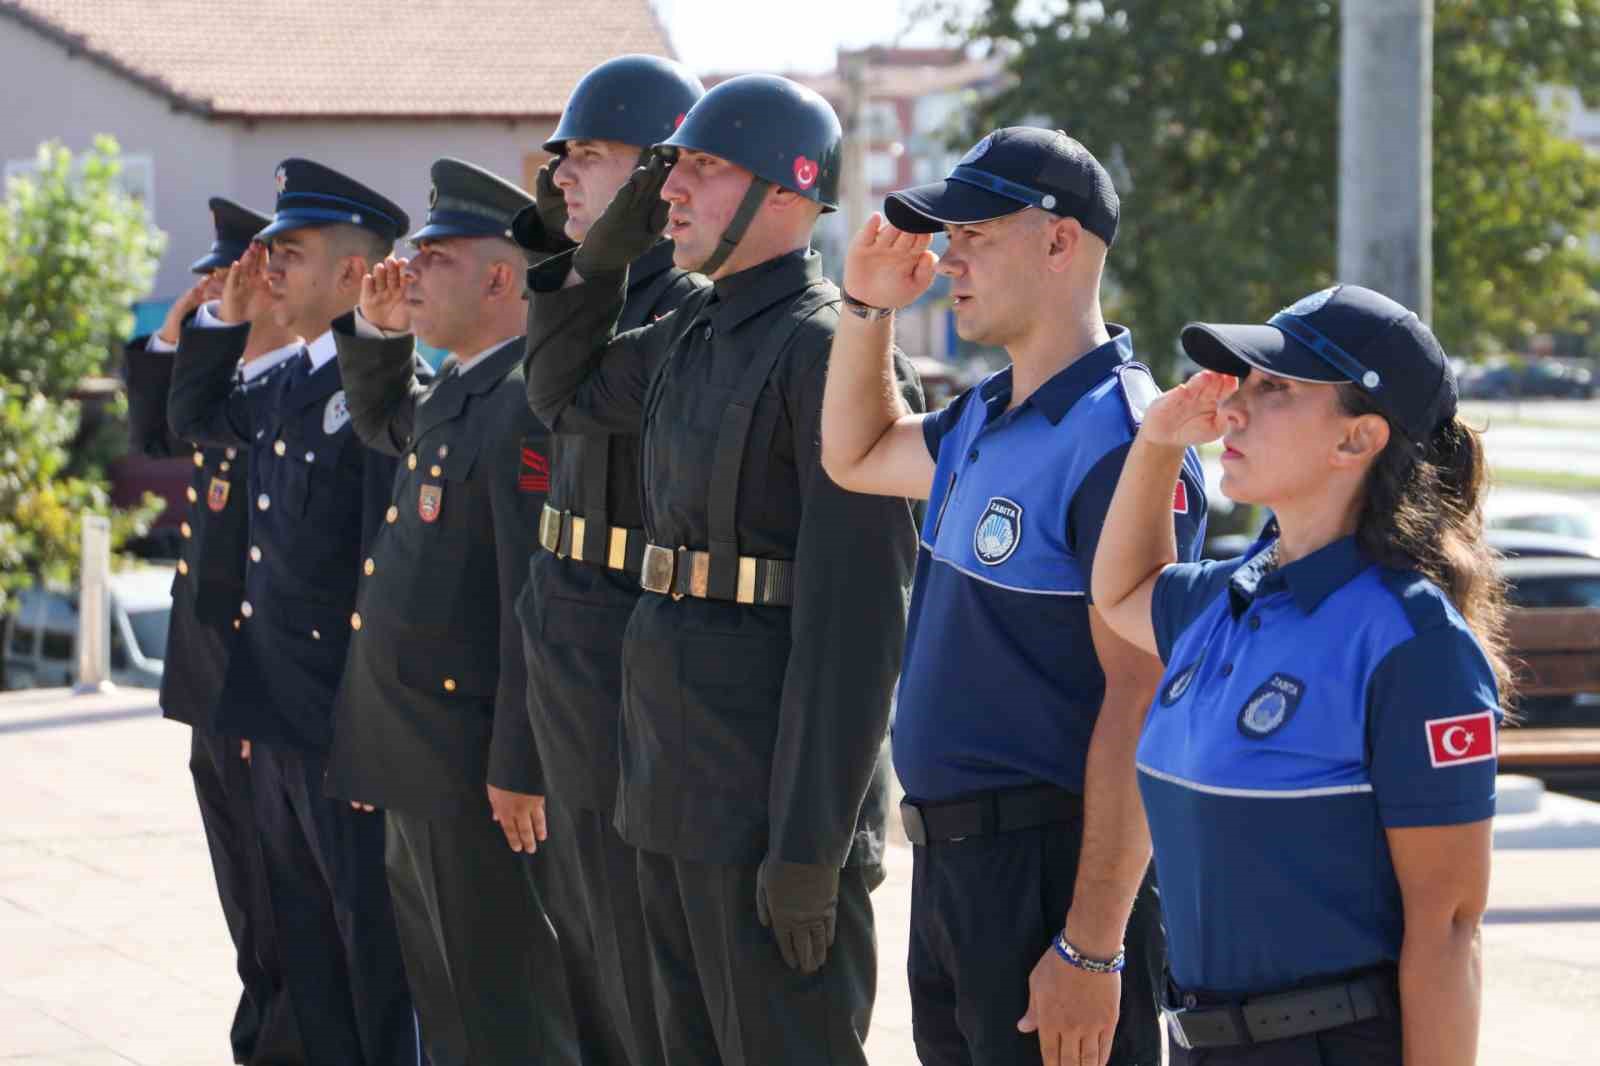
{"x": 583, "y": 587}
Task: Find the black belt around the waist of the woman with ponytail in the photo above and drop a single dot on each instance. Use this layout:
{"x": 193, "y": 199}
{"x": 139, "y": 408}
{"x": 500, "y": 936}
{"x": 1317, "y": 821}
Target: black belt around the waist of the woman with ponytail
{"x": 1282, "y": 1016}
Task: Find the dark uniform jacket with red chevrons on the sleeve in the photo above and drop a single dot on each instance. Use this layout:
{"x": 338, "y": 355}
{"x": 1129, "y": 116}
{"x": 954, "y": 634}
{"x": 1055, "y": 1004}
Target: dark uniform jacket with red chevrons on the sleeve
{"x": 434, "y": 692}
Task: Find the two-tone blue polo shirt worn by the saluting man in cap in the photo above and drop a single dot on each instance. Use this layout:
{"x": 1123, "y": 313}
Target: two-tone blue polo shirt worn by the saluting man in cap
{"x": 1001, "y": 686}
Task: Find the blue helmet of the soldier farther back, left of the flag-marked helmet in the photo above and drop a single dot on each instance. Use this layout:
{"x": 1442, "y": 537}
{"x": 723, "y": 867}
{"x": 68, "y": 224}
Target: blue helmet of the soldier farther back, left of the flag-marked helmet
{"x": 631, "y": 100}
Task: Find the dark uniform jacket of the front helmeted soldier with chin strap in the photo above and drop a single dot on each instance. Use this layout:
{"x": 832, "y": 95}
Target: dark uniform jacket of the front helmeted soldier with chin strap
{"x": 746, "y": 731}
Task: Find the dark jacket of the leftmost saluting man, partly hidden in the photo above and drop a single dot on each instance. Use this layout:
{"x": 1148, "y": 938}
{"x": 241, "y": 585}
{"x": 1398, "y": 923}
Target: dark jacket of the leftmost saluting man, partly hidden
{"x": 212, "y": 567}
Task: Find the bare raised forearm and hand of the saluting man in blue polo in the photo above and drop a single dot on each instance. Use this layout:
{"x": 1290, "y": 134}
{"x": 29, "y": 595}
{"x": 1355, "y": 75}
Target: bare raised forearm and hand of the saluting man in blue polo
{"x": 871, "y": 443}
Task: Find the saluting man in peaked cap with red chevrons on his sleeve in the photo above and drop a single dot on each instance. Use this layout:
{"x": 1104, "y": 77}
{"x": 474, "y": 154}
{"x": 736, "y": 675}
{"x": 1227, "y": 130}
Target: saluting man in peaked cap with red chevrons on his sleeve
{"x": 433, "y": 721}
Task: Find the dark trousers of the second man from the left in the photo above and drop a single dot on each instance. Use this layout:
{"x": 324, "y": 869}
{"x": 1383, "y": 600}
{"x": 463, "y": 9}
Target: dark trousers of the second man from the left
{"x": 330, "y": 908}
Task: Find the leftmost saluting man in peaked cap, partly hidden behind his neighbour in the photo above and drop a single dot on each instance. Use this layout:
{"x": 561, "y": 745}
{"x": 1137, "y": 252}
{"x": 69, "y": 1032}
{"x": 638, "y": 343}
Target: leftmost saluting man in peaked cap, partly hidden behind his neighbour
{"x": 201, "y": 630}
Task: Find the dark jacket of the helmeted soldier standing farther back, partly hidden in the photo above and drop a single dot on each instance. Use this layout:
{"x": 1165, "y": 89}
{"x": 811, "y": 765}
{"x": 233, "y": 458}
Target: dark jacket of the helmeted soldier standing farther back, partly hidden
{"x": 575, "y": 612}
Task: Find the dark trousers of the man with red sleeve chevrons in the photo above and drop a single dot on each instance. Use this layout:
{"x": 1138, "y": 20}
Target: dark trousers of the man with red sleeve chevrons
{"x": 484, "y": 961}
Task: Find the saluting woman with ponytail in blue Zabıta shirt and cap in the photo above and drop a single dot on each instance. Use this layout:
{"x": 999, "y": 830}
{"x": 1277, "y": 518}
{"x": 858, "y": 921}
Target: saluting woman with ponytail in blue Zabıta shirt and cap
{"x": 1319, "y": 763}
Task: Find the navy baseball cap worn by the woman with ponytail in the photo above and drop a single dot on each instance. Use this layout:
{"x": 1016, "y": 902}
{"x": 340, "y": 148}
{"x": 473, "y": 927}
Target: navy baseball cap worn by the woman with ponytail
{"x": 1343, "y": 334}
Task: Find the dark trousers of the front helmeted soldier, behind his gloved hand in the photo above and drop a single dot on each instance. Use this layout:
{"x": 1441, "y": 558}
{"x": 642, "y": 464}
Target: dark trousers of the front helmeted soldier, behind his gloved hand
{"x": 724, "y": 993}
